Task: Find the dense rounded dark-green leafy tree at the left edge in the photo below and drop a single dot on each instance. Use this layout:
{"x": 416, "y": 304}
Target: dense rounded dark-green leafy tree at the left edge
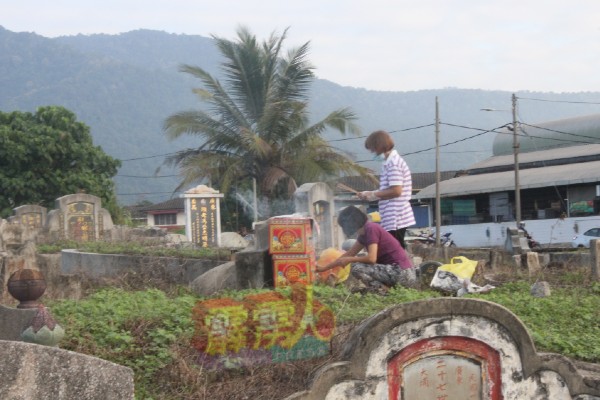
{"x": 49, "y": 154}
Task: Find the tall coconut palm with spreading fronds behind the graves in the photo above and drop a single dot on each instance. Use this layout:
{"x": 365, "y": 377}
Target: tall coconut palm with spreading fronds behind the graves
{"x": 256, "y": 125}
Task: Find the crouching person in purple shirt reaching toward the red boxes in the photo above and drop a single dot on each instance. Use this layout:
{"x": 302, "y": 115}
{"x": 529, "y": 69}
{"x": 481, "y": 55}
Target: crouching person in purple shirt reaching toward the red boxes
{"x": 385, "y": 263}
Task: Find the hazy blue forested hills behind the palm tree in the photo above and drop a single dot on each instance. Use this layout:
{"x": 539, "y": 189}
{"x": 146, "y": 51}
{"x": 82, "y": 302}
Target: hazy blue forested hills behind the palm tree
{"x": 124, "y": 86}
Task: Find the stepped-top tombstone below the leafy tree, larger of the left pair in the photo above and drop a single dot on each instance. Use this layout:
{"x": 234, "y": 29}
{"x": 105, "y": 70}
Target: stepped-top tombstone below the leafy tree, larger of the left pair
{"x": 79, "y": 217}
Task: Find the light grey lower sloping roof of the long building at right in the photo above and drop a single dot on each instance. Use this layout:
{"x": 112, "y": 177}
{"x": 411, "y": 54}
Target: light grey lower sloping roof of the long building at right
{"x": 559, "y": 175}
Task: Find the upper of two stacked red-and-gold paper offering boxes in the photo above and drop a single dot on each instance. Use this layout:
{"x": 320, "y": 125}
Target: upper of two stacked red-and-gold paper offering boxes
{"x": 290, "y": 235}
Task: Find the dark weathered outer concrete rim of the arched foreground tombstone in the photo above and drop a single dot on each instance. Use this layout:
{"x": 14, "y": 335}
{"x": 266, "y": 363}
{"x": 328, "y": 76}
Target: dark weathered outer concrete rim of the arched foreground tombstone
{"x": 582, "y": 379}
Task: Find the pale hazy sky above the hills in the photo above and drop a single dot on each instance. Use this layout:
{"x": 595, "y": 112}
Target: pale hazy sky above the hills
{"x": 399, "y": 45}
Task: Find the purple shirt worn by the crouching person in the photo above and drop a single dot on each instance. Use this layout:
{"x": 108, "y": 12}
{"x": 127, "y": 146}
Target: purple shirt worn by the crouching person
{"x": 389, "y": 250}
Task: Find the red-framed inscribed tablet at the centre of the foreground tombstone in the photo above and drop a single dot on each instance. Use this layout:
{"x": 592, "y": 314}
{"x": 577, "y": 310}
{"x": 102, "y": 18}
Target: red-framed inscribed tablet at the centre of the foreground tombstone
{"x": 445, "y": 368}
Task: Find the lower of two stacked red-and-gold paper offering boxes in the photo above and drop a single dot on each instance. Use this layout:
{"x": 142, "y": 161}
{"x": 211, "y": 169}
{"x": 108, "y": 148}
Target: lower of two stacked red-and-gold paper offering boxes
{"x": 290, "y": 269}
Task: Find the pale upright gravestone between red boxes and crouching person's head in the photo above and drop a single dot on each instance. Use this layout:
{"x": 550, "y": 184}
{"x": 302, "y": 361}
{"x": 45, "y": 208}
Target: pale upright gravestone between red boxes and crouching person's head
{"x": 315, "y": 200}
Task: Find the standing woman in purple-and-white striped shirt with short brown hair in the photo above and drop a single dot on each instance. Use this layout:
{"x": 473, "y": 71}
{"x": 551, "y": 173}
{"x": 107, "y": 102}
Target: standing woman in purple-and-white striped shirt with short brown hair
{"x": 395, "y": 187}
